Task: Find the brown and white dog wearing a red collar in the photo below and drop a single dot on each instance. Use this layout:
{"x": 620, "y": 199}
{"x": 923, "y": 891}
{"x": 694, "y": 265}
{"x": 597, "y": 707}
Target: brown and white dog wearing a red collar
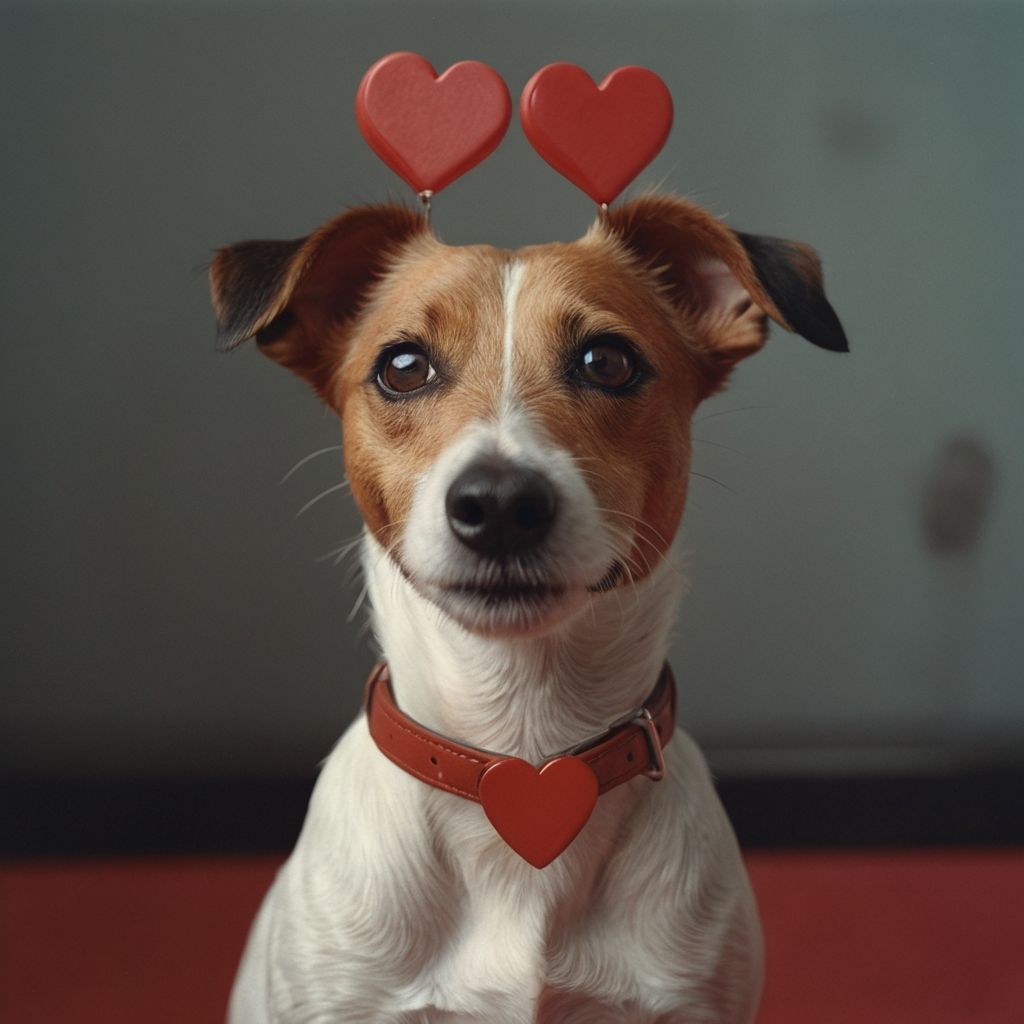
{"x": 517, "y": 434}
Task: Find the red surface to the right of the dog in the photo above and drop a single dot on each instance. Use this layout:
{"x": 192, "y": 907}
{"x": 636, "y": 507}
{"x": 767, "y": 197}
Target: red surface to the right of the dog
{"x": 892, "y": 940}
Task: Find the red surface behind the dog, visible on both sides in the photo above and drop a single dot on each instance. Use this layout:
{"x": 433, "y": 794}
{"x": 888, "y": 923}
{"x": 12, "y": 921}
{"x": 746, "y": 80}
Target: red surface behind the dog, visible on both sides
{"x": 872, "y": 940}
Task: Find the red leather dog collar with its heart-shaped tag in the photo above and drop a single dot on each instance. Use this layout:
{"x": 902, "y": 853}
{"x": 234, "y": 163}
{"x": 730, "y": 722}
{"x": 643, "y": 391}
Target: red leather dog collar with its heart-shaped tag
{"x": 537, "y": 813}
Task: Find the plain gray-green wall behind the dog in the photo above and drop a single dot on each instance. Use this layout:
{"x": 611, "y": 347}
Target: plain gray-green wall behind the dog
{"x": 165, "y": 612}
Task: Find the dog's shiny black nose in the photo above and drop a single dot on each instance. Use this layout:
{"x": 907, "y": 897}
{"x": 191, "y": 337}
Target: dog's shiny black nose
{"x": 498, "y": 508}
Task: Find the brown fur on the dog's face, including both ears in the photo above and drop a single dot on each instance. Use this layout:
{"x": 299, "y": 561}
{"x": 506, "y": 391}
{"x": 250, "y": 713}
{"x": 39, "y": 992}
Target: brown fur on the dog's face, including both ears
{"x": 691, "y": 295}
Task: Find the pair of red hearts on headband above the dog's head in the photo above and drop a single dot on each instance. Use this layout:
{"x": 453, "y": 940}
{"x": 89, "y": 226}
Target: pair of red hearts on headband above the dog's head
{"x": 432, "y": 130}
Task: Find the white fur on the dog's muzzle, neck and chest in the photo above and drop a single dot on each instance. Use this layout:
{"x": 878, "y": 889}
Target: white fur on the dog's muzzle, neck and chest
{"x": 401, "y": 905}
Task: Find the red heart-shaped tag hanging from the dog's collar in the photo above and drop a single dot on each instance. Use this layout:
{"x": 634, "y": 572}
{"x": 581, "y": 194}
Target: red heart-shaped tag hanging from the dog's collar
{"x": 539, "y": 814}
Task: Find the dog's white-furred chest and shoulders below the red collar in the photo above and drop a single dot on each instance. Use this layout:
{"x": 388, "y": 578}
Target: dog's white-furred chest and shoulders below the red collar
{"x": 394, "y": 917}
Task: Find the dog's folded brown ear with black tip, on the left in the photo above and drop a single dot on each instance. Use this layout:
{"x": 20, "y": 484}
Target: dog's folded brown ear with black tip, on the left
{"x": 296, "y": 298}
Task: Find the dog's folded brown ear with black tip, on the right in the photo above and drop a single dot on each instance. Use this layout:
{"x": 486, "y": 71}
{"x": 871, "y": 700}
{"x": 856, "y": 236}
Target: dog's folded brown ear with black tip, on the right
{"x": 732, "y": 281}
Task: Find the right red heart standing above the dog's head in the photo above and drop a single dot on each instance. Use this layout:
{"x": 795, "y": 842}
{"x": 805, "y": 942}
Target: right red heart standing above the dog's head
{"x": 599, "y": 137}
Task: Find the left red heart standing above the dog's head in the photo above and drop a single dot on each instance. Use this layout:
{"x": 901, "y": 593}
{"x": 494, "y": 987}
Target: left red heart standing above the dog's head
{"x": 431, "y": 130}
